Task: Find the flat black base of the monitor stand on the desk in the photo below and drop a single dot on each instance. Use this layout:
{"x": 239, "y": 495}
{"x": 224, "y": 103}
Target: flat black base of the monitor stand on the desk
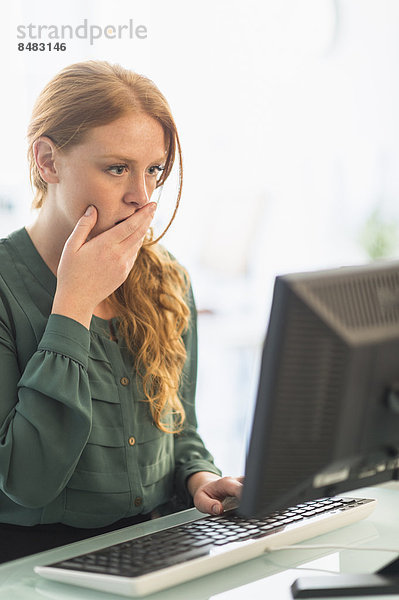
{"x": 382, "y": 583}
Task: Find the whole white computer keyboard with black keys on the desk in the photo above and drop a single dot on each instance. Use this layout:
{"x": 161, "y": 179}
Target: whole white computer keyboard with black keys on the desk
{"x": 153, "y": 562}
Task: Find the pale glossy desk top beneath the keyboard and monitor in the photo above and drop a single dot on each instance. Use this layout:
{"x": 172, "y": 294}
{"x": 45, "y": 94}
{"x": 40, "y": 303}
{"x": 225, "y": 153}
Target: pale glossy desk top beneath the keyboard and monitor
{"x": 268, "y": 577}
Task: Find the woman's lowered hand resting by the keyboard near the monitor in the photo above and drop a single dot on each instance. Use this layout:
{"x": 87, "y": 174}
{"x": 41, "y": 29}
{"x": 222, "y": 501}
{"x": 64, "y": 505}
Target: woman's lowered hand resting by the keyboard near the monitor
{"x": 211, "y": 493}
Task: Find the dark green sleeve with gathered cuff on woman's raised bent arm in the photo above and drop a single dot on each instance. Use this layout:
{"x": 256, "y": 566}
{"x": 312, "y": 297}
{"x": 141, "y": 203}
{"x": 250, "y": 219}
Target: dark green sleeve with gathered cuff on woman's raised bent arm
{"x": 45, "y": 411}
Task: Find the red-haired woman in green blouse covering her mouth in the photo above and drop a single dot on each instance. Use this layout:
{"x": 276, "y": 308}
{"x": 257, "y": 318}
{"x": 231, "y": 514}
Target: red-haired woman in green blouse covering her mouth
{"x": 97, "y": 325}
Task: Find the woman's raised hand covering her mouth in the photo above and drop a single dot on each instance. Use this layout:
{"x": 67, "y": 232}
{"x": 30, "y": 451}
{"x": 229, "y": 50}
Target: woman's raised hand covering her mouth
{"x": 89, "y": 271}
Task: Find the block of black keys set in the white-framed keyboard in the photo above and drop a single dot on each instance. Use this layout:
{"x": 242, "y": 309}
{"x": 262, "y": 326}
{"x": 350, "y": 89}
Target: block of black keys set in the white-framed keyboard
{"x": 191, "y": 540}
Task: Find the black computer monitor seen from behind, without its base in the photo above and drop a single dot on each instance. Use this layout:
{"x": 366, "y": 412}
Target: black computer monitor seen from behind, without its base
{"x": 327, "y": 412}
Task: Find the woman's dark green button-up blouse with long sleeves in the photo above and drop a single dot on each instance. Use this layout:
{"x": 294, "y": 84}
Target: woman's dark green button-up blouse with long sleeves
{"x": 77, "y": 441}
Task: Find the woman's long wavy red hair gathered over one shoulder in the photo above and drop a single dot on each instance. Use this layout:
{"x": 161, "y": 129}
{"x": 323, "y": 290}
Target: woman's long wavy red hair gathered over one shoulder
{"x": 152, "y": 302}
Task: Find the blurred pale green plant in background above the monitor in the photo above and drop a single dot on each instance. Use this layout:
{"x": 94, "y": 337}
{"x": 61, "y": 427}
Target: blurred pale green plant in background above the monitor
{"x": 379, "y": 236}
